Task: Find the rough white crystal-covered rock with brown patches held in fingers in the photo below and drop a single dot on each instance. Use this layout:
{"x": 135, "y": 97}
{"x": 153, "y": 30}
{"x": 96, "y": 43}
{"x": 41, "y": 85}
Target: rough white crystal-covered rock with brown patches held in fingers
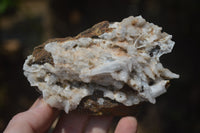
{"x": 106, "y": 66}
